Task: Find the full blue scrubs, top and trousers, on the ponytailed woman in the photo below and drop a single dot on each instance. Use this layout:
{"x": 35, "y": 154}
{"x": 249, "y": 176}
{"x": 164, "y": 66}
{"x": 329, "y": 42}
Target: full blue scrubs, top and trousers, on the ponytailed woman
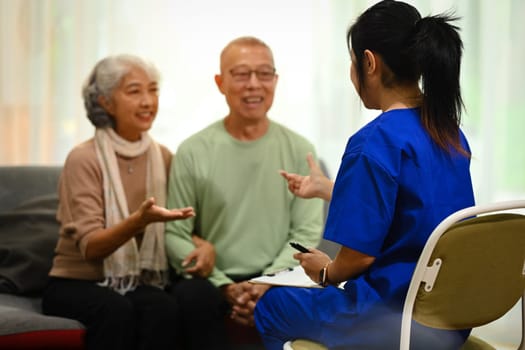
{"x": 394, "y": 186}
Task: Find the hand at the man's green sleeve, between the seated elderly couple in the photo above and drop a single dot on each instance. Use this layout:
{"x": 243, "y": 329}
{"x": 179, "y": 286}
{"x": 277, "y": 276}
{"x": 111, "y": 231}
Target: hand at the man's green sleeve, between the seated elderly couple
{"x": 203, "y": 257}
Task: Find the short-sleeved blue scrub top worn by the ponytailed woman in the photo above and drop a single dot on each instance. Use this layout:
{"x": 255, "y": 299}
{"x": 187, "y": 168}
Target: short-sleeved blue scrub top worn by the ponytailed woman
{"x": 393, "y": 188}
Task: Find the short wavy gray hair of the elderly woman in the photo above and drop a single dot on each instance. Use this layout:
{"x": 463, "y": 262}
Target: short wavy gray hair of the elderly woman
{"x": 104, "y": 78}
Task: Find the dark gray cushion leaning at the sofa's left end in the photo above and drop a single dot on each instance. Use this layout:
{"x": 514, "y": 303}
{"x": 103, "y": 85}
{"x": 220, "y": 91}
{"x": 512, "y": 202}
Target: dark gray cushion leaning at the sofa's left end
{"x": 28, "y": 235}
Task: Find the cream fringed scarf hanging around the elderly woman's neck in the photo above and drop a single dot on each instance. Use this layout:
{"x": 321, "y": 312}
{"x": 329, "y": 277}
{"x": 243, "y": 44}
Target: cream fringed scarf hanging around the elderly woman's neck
{"x": 128, "y": 267}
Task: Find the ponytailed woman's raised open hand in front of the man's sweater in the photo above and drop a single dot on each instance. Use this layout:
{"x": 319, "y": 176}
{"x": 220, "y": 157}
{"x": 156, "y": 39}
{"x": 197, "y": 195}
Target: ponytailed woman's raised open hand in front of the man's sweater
{"x": 315, "y": 185}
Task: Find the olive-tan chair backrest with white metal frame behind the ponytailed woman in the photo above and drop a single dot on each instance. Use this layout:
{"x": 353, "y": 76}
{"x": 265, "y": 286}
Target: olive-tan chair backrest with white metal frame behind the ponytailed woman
{"x": 471, "y": 270}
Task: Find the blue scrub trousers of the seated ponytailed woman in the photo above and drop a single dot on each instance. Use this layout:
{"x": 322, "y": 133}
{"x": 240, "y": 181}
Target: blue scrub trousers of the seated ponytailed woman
{"x": 331, "y": 317}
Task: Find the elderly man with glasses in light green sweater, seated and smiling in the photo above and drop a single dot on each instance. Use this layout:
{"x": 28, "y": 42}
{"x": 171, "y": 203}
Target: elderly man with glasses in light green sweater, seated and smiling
{"x": 229, "y": 173}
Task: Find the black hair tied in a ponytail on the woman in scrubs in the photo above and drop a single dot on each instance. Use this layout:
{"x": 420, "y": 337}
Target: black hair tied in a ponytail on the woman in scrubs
{"x": 416, "y": 48}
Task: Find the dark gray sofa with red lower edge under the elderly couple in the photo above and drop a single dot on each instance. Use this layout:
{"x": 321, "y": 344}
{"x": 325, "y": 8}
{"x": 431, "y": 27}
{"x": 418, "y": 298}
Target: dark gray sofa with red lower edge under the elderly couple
{"x": 28, "y": 234}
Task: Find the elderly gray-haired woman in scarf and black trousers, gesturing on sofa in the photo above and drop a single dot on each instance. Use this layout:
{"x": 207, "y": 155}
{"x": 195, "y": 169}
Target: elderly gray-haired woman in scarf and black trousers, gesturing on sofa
{"x": 110, "y": 268}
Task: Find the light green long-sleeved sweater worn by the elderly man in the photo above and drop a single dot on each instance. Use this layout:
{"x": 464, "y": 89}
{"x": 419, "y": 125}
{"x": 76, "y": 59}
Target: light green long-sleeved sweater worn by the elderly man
{"x": 243, "y": 206}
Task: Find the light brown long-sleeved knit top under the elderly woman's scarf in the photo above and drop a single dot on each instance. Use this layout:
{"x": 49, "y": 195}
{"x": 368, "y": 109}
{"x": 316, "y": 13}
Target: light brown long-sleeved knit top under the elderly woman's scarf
{"x": 81, "y": 206}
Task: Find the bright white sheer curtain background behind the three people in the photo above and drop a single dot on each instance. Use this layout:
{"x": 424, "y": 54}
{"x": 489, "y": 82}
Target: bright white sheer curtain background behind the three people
{"x": 49, "y": 46}
